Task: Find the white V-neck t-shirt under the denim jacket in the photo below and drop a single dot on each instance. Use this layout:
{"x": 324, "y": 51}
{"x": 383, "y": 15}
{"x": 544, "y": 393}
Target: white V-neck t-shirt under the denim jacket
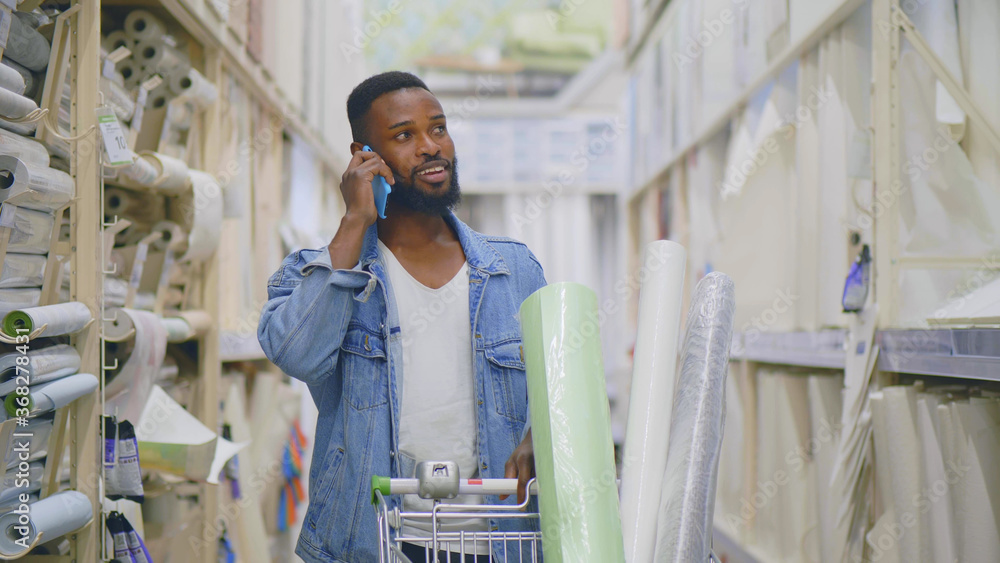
{"x": 437, "y": 420}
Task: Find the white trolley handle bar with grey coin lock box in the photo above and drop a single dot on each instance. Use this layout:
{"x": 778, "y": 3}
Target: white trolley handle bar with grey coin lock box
{"x": 439, "y": 480}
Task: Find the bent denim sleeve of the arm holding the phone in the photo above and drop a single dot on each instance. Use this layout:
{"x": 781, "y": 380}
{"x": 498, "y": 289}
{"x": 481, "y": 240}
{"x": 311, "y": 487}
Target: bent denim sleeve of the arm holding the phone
{"x": 309, "y": 305}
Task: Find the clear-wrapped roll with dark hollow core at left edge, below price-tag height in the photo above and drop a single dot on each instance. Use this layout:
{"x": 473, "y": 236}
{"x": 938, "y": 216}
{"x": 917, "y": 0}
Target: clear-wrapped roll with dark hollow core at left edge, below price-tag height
{"x": 34, "y": 187}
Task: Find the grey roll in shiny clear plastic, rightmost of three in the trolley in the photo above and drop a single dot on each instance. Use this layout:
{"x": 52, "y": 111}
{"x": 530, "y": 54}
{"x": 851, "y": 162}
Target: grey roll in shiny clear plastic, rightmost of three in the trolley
{"x": 684, "y": 524}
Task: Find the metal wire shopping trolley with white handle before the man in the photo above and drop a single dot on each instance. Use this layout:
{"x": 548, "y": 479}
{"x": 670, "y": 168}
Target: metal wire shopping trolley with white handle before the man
{"x": 439, "y": 481}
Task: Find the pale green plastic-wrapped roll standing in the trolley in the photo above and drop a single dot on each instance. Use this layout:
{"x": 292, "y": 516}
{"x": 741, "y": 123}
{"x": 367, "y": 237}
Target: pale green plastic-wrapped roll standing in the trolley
{"x": 571, "y": 426}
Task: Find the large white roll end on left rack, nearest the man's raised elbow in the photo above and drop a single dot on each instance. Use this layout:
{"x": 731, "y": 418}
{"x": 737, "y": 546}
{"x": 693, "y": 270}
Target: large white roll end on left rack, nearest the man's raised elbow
{"x": 203, "y": 217}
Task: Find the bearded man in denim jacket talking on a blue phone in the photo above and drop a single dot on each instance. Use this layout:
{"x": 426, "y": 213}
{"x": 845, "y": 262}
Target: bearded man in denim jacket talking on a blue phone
{"x": 405, "y": 330}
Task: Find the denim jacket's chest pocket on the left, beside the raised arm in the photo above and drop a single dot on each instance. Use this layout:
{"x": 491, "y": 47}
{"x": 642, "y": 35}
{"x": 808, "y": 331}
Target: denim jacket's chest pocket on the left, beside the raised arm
{"x": 363, "y": 359}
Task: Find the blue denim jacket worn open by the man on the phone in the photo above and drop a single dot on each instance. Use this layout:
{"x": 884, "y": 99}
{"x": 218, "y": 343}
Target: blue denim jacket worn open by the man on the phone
{"x": 338, "y": 331}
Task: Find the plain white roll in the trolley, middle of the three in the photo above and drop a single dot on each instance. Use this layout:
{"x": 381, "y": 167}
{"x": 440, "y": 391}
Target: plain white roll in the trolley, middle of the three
{"x": 652, "y": 397}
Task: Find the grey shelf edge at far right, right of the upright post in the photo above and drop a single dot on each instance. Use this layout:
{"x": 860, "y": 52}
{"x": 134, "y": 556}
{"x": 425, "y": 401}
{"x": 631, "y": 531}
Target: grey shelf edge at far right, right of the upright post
{"x": 961, "y": 353}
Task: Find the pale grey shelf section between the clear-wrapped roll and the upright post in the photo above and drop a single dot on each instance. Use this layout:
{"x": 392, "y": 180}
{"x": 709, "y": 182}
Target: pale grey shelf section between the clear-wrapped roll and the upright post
{"x": 823, "y": 349}
